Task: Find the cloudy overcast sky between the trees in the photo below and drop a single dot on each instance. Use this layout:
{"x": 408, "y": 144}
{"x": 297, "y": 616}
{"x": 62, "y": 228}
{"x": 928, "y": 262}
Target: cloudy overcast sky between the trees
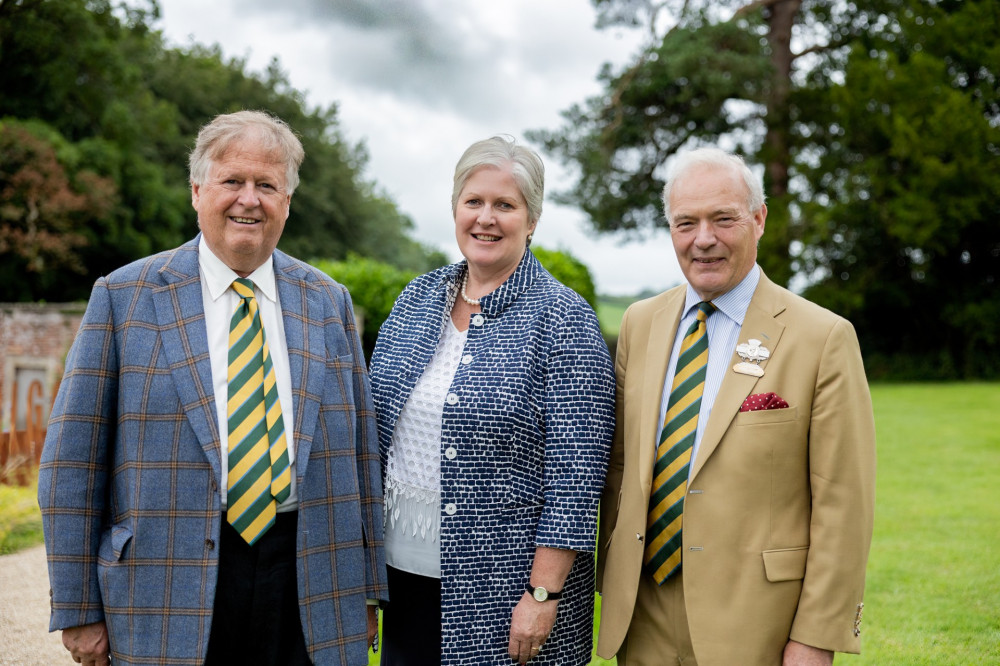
{"x": 419, "y": 80}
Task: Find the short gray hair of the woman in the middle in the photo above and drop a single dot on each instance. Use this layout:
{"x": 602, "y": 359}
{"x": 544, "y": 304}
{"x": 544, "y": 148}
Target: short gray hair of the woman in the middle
{"x": 501, "y": 152}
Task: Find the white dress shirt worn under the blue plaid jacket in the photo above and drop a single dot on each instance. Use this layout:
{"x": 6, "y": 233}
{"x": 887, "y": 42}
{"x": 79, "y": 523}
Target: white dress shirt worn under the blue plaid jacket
{"x": 220, "y": 302}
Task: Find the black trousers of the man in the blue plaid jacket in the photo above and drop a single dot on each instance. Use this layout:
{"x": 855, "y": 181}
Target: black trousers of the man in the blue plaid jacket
{"x": 255, "y": 619}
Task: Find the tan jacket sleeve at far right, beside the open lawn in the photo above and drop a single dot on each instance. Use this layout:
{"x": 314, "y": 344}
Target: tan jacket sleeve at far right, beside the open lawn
{"x": 842, "y": 482}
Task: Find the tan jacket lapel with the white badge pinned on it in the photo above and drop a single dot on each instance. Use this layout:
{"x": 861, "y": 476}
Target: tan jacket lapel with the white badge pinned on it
{"x": 759, "y": 323}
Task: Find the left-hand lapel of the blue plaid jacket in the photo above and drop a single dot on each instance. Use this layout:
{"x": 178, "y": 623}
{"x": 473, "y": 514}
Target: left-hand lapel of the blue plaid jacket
{"x": 180, "y": 314}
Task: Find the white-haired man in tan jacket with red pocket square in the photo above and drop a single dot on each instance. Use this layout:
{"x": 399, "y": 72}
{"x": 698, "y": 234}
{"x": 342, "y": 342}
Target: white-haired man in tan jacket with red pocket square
{"x": 737, "y": 515}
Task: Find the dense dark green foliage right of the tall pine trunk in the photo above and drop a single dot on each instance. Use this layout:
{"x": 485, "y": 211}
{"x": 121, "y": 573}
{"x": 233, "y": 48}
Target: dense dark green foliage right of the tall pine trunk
{"x": 903, "y": 197}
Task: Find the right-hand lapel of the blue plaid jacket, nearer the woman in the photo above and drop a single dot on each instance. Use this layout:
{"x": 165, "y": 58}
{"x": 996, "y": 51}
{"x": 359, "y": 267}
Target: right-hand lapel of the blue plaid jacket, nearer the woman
{"x": 303, "y": 310}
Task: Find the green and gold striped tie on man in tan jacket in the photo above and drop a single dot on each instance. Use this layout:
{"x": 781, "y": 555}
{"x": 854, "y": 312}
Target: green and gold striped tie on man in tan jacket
{"x": 673, "y": 454}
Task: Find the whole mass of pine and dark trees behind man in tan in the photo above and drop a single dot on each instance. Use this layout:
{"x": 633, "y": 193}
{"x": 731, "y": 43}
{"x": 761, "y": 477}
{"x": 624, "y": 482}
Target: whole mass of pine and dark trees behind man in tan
{"x": 879, "y": 134}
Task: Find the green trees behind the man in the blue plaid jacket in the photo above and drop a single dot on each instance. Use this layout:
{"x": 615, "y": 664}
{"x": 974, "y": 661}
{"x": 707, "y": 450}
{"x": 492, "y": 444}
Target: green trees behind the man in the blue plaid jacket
{"x": 122, "y": 111}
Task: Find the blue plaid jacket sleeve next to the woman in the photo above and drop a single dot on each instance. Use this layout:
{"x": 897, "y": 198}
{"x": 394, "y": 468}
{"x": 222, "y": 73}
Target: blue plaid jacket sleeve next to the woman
{"x": 368, "y": 466}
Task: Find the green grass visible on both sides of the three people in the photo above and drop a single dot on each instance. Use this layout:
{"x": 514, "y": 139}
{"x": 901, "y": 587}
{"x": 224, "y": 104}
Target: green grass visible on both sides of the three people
{"x": 933, "y": 587}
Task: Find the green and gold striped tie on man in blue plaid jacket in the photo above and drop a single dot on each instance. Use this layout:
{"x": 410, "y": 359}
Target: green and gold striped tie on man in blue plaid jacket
{"x": 259, "y": 474}
